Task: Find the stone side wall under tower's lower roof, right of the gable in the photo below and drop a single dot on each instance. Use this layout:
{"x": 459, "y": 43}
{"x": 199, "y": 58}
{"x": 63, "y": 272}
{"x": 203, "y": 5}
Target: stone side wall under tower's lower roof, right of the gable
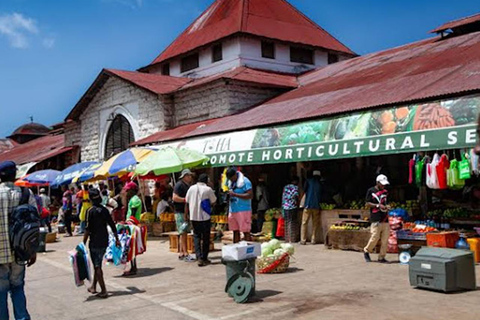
{"x": 218, "y": 99}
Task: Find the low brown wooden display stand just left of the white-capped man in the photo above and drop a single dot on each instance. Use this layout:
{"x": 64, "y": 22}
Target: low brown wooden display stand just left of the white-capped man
{"x": 347, "y": 239}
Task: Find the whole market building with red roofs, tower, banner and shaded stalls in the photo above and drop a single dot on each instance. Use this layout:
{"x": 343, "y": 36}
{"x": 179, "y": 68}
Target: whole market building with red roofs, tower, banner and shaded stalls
{"x": 285, "y": 103}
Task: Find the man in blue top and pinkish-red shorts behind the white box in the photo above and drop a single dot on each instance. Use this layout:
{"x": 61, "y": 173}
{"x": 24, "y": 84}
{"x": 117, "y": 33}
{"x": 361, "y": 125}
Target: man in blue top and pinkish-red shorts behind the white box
{"x": 240, "y": 215}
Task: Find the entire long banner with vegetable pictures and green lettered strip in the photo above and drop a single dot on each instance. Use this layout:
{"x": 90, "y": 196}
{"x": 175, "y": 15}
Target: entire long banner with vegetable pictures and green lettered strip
{"x": 440, "y": 125}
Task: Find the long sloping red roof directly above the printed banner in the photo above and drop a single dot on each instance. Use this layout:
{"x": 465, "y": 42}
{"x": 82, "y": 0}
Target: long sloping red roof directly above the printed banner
{"x": 425, "y": 70}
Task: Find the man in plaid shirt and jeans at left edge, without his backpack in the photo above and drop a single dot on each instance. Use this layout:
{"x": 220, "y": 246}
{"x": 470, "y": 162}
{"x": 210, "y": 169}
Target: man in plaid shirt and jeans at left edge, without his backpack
{"x": 12, "y": 275}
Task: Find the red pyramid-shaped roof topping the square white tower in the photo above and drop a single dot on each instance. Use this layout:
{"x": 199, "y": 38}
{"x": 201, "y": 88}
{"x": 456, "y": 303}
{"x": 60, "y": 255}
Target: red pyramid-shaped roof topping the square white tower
{"x": 274, "y": 19}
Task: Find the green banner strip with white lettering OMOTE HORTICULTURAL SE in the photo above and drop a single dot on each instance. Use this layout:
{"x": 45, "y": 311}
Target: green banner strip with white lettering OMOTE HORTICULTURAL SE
{"x": 441, "y": 139}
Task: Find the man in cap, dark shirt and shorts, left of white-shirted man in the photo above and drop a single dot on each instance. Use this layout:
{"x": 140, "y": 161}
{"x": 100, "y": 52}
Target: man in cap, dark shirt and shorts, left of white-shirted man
{"x": 179, "y": 193}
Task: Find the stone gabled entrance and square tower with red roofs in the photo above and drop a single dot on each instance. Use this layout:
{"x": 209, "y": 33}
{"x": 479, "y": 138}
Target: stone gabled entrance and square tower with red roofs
{"x": 236, "y": 55}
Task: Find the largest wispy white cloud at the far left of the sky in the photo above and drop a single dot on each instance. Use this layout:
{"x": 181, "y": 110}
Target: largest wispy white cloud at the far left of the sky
{"x": 16, "y": 28}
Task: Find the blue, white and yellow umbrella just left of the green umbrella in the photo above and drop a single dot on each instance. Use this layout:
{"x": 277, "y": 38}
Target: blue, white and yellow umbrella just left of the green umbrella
{"x": 122, "y": 163}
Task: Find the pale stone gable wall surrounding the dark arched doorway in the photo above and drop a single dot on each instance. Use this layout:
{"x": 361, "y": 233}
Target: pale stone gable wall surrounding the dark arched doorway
{"x": 144, "y": 110}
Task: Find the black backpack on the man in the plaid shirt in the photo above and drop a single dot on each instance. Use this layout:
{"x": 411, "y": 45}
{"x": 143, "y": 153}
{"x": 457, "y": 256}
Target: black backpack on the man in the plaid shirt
{"x": 24, "y": 229}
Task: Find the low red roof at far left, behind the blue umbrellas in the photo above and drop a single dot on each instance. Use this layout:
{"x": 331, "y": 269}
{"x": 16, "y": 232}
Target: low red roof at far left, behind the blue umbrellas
{"x": 36, "y": 150}
